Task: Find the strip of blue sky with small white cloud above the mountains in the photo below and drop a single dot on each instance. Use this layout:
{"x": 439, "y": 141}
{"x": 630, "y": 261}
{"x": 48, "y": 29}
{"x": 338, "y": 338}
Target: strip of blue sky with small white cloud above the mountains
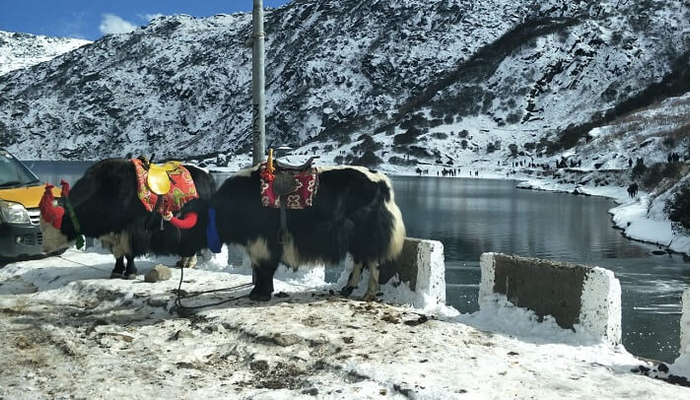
{"x": 91, "y": 19}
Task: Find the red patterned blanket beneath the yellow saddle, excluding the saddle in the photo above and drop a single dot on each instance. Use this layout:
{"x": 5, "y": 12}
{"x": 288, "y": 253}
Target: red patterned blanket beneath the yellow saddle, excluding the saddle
{"x": 182, "y": 190}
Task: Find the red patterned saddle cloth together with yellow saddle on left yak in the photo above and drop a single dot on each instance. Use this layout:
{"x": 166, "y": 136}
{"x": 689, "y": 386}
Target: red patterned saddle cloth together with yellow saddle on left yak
{"x": 172, "y": 179}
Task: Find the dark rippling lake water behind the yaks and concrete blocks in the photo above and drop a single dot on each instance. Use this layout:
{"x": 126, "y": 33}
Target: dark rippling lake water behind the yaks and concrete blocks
{"x": 472, "y": 216}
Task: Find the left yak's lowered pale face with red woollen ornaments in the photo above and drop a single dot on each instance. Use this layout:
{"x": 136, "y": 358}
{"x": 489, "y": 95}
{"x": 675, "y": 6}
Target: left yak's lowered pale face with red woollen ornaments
{"x": 55, "y": 223}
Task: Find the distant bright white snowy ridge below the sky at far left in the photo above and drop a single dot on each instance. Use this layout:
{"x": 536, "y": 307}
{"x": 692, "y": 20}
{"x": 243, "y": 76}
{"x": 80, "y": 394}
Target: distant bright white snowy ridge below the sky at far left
{"x": 22, "y": 50}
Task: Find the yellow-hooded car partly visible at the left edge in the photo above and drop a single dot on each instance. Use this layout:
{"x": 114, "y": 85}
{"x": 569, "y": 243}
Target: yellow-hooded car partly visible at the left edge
{"x": 20, "y": 193}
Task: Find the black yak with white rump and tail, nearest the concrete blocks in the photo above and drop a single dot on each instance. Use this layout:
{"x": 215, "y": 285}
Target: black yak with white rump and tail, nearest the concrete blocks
{"x": 353, "y": 212}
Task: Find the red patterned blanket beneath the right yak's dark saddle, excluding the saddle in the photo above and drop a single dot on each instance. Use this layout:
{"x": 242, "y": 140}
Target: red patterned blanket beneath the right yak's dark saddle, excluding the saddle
{"x": 306, "y": 186}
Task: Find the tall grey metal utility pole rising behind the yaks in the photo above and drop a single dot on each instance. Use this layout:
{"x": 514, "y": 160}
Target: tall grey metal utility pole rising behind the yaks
{"x": 258, "y": 83}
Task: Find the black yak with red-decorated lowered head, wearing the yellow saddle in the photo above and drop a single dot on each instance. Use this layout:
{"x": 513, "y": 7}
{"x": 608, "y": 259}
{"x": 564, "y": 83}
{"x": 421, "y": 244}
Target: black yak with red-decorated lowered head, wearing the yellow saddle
{"x": 106, "y": 205}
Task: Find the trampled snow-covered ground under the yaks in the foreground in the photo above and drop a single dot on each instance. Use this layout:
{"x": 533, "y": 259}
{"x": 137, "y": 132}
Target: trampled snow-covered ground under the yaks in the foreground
{"x": 70, "y": 333}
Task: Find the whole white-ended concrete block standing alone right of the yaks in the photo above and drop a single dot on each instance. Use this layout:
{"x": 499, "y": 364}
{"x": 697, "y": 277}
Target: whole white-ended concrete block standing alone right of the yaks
{"x": 571, "y": 293}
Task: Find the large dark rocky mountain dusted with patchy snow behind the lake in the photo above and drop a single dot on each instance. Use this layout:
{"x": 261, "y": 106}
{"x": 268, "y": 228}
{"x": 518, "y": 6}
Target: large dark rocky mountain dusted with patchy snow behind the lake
{"x": 468, "y": 76}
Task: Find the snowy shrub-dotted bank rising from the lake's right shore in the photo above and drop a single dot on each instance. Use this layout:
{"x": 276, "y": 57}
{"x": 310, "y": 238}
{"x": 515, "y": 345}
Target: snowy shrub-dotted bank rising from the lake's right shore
{"x": 650, "y": 135}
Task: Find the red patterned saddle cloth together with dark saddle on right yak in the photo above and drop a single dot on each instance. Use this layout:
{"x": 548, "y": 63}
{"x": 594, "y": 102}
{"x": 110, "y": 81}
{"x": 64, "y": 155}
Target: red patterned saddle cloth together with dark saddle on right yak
{"x": 300, "y": 187}
